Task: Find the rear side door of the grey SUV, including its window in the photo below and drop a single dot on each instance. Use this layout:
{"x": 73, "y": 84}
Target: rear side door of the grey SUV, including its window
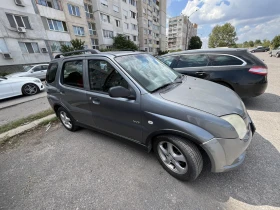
{"x": 72, "y": 91}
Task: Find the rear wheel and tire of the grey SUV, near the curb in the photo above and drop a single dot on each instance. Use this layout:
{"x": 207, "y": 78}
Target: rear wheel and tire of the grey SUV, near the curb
{"x": 66, "y": 119}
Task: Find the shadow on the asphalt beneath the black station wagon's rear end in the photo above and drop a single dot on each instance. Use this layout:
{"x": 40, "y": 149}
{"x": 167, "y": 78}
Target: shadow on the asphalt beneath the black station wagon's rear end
{"x": 266, "y": 102}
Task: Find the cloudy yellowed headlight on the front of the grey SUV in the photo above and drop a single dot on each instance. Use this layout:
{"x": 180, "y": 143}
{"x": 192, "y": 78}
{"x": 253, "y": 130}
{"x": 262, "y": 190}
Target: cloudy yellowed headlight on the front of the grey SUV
{"x": 238, "y": 123}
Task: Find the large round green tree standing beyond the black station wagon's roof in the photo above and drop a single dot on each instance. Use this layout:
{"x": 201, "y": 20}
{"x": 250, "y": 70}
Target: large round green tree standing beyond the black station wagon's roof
{"x": 222, "y": 36}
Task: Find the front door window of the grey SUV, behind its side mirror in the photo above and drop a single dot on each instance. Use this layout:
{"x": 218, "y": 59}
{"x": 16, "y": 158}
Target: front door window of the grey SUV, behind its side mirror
{"x": 103, "y": 76}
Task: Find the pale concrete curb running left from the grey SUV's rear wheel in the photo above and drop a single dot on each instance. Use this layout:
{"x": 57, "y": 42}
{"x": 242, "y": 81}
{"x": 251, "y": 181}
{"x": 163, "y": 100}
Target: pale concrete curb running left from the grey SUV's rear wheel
{"x": 23, "y": 128}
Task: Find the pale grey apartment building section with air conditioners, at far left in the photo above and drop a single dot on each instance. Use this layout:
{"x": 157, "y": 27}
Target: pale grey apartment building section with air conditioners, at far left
{"x": 22, "y": 36}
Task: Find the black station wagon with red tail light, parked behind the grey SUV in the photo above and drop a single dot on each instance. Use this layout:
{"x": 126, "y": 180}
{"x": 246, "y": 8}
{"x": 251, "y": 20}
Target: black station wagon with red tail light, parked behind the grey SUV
{"x": 236, "y": 69}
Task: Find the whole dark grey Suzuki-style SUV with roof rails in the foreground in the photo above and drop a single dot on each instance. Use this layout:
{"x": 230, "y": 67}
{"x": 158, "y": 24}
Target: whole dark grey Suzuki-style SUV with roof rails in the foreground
{"x": 134, "y": 96}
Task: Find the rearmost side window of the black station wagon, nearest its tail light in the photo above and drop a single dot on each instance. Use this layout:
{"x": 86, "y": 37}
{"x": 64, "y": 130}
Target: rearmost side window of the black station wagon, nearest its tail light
{"x": 224, "y": 60}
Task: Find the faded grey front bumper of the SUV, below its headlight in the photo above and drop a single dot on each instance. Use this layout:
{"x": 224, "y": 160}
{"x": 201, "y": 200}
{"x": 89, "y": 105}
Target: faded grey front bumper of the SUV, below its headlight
{"x": 228, "y": 154}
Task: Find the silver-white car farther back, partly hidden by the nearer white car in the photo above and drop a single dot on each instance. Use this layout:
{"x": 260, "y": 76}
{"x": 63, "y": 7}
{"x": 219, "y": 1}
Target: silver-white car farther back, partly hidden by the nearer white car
{"x": 39, "y": 71}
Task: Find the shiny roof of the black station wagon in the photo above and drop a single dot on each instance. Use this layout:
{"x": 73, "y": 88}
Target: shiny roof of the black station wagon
{"x": 214, "y": 50}
